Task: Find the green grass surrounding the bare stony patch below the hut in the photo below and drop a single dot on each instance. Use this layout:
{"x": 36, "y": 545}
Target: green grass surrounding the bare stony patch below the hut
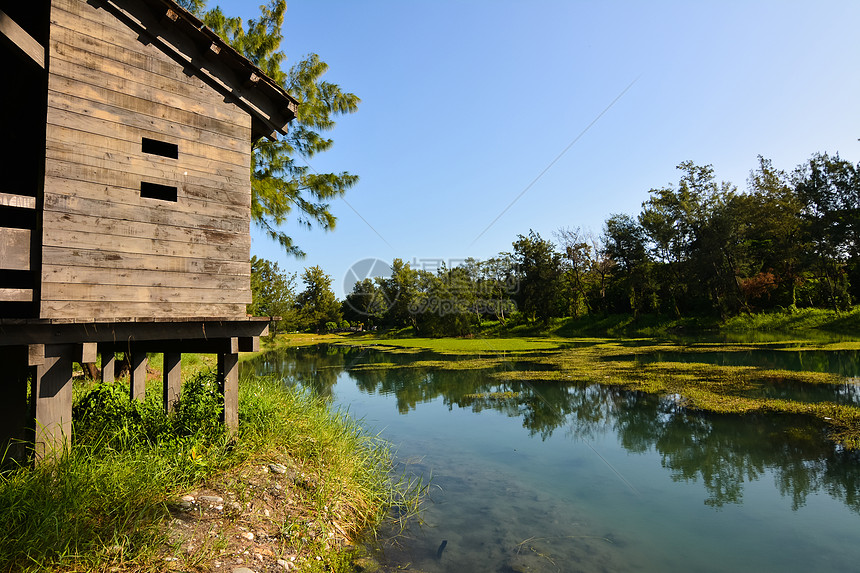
{"x": 102, "y": 503}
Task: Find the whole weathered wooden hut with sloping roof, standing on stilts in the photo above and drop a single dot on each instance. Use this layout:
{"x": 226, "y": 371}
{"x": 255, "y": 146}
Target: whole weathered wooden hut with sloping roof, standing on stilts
{"x": 125, "y": 201}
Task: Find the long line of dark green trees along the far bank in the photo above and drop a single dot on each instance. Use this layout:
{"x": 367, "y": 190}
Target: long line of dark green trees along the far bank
{"x": 700, "y": 247}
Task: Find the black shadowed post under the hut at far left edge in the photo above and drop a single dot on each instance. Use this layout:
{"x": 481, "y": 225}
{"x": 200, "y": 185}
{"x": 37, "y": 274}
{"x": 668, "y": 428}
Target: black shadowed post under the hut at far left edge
{"x": 13, "y": 402}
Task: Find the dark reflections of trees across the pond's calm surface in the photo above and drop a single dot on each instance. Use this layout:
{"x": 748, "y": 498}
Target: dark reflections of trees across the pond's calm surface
{"x": 721, "y": 452}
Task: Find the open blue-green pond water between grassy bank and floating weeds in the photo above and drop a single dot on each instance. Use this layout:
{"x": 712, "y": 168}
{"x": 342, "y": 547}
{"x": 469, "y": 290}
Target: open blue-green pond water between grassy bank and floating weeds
{"x": 576, "y": 477}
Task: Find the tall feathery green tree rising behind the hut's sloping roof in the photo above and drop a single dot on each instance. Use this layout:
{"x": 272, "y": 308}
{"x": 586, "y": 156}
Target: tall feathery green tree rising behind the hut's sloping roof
{"x": 282, "y": 183}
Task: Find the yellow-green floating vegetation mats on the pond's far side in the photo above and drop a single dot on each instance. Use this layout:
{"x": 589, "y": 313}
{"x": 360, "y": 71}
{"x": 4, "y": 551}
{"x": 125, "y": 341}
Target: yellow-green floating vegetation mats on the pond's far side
{"x": 716, "y": 388}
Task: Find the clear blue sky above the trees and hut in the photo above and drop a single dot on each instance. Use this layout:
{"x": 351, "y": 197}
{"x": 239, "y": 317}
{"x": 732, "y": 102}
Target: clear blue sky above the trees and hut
{"x": 465, "y": 103}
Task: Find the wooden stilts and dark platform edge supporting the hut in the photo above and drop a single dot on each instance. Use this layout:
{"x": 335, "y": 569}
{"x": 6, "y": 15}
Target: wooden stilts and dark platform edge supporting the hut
{"x": 40, "y": 411}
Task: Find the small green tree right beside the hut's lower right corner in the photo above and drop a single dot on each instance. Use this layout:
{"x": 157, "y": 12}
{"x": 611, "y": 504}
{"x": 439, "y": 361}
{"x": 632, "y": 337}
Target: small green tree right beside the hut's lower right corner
{"x": 273, "y": 294}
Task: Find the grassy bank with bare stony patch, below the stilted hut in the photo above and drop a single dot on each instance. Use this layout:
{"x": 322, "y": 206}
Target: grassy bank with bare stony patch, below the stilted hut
{"x": 143, "y": 491}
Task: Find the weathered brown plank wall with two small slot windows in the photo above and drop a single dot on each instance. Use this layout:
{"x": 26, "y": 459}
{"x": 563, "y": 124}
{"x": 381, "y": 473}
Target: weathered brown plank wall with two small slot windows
{"x": 108, "y": 252}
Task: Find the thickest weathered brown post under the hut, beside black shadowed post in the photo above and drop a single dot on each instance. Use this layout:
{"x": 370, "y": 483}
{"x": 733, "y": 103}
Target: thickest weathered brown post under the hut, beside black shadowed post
{"x": 52, "y": 397}
